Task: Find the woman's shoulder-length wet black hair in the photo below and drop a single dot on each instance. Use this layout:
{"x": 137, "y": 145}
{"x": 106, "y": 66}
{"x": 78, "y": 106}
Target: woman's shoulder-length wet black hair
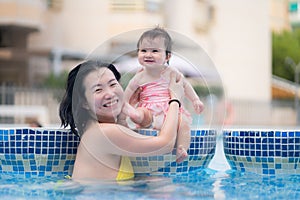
{"x": 71, "y": 111}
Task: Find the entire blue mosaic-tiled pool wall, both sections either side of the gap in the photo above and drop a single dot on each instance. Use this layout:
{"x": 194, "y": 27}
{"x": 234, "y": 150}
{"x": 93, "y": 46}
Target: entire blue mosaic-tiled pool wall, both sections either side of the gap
{"x": 38, "y": 152}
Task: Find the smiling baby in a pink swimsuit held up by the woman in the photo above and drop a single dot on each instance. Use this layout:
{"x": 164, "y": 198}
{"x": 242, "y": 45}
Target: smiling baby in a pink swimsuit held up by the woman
{"x": 154, "y": 53}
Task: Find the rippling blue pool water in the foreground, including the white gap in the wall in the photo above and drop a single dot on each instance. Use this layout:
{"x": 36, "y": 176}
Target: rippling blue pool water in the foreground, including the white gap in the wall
{"x": 216, "y": 182}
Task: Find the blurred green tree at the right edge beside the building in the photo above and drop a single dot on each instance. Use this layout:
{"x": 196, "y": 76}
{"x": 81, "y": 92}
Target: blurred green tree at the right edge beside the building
{"x": 285, "y": 44}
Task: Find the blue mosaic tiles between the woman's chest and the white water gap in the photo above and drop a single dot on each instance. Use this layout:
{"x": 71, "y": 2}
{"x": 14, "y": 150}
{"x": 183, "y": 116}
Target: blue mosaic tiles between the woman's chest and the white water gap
{"x": 201, "y": 151}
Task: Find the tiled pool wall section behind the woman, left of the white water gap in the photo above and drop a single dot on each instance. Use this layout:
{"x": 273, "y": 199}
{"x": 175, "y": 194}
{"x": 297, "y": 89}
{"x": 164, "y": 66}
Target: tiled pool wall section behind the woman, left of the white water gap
{"x": 38, "y": 152}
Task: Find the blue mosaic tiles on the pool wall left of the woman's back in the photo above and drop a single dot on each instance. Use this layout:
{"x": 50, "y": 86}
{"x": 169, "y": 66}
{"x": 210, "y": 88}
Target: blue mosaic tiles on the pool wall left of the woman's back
{"x": 21, "y": 148}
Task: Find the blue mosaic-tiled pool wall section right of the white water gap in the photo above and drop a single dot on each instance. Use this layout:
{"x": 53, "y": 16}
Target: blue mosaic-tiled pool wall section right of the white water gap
{"x": 266, "y": 152}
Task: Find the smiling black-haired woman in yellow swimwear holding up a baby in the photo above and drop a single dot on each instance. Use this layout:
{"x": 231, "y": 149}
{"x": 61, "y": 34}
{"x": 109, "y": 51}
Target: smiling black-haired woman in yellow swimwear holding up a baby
{"x": 92, "y": 103}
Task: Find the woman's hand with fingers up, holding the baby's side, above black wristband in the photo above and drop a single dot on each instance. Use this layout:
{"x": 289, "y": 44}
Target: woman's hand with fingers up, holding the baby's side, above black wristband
{"x": 176, "y": 87}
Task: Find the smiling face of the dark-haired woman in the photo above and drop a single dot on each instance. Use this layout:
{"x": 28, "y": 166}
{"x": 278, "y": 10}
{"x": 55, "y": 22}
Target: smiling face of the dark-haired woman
{"x": 104, "y": 95}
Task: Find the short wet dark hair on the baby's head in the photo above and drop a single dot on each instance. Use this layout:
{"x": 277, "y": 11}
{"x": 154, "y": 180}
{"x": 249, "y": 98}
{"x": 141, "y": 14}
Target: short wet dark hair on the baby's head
{"x": 157, "y": 32}
